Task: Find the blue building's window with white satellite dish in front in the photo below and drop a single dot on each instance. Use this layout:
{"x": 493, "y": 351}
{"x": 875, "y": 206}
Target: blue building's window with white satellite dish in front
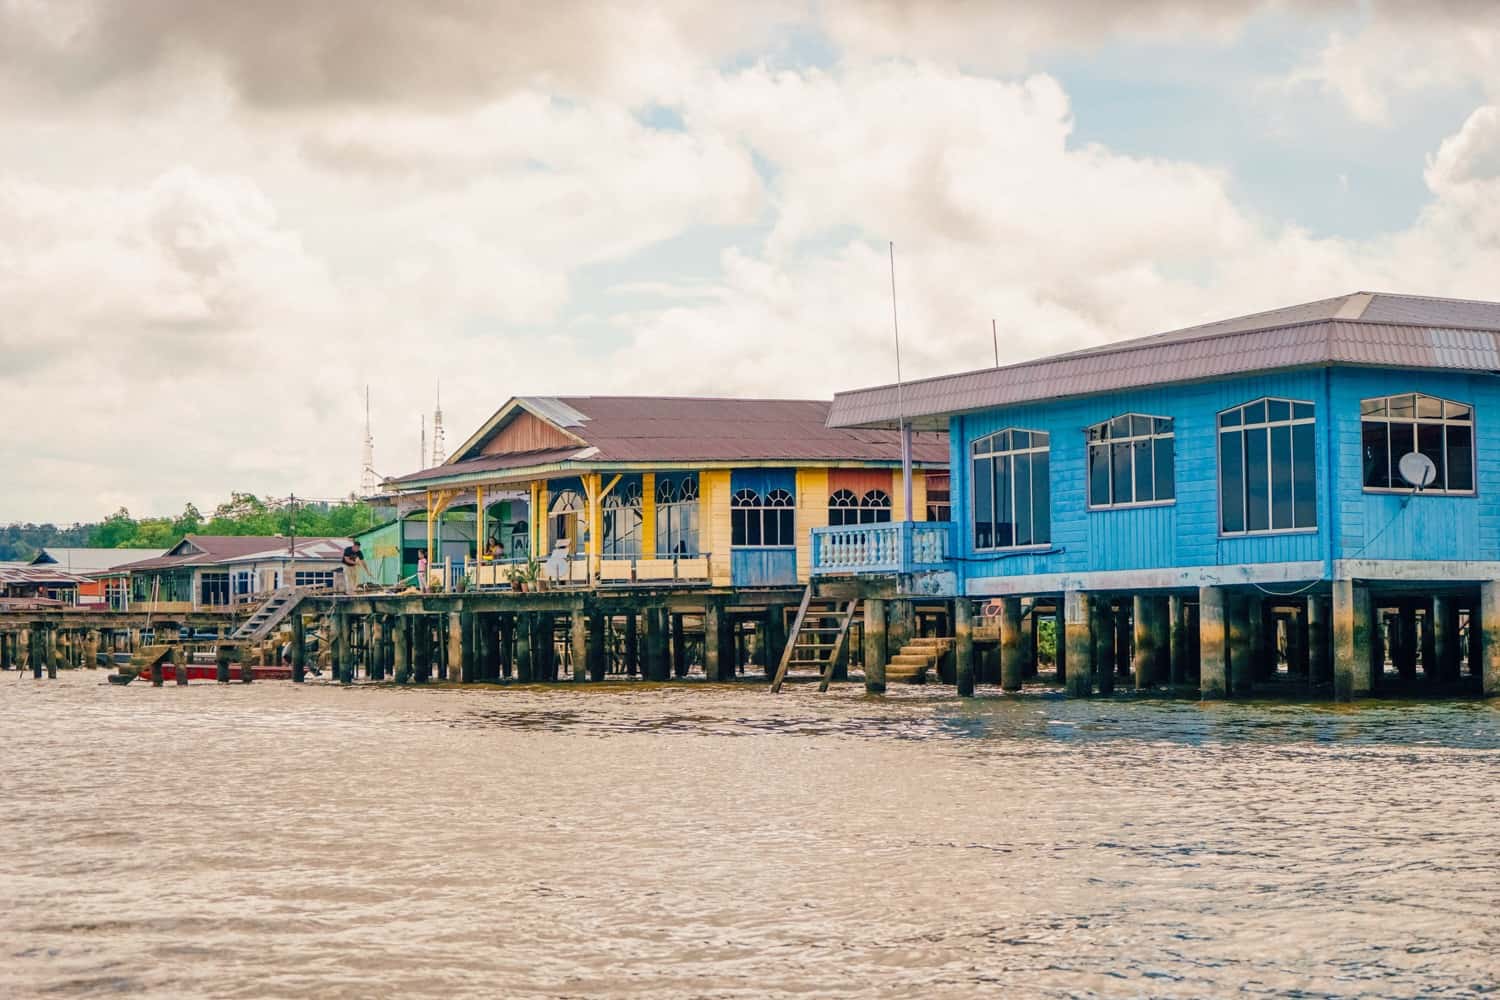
{"x": 1444, "y": 431}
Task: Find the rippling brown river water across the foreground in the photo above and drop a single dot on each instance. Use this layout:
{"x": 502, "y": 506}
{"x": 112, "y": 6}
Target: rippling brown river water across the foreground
{"x": 698, "y": 842}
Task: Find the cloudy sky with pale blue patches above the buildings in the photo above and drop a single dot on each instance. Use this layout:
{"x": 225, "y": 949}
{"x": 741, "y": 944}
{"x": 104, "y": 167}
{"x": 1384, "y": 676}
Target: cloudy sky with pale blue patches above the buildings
{"x": 221, "y": 223}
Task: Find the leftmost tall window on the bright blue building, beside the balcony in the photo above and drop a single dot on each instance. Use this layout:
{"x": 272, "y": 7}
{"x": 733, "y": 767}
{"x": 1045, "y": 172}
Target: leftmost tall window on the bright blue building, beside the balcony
{"x": 1012, "y": 493}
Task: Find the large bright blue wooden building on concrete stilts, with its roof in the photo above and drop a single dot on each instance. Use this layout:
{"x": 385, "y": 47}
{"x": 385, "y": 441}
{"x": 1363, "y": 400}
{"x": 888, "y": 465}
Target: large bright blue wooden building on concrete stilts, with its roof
{"x": 1309, "y": 496}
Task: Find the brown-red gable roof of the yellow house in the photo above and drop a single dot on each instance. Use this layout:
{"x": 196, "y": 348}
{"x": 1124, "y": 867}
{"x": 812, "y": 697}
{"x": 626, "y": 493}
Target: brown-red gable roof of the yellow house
{"x": 643, "y": 431}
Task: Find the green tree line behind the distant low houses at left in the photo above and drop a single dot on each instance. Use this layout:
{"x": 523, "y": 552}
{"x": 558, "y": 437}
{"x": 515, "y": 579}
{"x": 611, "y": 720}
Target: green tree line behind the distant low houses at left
{"x": 242, "y": 515}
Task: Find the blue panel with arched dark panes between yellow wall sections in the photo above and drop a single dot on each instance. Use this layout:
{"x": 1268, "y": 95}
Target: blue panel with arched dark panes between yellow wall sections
{"x": 763, "y": 515}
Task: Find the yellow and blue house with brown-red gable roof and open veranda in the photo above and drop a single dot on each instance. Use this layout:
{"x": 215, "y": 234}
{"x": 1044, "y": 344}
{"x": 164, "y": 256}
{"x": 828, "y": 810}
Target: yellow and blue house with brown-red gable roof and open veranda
{"x": 641, "y": 490}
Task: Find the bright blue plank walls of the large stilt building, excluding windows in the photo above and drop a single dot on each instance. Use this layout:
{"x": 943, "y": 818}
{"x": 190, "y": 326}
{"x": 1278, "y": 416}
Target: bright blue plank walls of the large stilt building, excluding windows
{"x": 1186, "y": 533}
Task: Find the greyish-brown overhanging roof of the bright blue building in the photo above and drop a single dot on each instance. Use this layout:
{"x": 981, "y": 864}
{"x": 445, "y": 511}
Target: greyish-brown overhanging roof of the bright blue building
{"x": 1367, "y": 329}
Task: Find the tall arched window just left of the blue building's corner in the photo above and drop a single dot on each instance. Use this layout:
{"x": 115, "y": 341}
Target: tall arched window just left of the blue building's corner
{"x": 1268, "y": 467}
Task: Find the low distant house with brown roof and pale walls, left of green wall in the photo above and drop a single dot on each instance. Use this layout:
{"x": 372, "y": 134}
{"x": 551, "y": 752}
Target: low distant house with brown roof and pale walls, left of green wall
{"x": 205, "y": 572}
